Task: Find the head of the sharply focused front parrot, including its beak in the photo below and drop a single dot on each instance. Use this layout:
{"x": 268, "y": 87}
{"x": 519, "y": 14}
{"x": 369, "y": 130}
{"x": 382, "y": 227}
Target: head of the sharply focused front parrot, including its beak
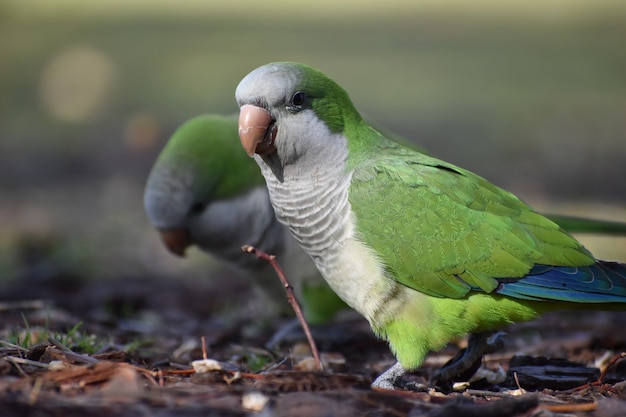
{"x": 285, "y": 108}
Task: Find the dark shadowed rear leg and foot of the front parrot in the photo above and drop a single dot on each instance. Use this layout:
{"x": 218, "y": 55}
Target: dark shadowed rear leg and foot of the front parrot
{"x": 467, "y": 361}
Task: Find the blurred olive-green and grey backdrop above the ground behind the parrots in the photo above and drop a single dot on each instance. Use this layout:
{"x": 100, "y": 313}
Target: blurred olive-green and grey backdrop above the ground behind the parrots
{"x": 531, "y": 95}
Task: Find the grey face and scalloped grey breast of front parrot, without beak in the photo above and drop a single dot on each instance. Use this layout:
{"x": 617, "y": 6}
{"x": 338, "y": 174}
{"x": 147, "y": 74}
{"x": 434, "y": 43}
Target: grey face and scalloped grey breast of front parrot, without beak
{"x": 306, "y": 175}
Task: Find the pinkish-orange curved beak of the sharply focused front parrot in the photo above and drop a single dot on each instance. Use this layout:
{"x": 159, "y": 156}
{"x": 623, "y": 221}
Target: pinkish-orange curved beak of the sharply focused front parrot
{"x": 257, "y": 131}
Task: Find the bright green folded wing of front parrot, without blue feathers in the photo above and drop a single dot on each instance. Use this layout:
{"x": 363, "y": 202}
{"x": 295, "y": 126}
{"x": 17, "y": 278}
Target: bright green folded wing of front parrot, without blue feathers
{"x": 447, "y": 231}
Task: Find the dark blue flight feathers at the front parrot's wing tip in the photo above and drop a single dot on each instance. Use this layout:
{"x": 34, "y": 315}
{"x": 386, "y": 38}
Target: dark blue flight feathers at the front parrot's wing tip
{"x": 602, "y": 282}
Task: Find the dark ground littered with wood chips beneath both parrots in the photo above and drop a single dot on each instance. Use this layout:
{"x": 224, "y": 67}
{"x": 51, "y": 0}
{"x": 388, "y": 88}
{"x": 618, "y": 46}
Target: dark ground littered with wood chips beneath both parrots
{"x": 71, "y": 347}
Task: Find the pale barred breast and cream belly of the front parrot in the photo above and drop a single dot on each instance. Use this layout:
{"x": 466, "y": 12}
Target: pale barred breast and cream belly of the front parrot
{"x": 314, "y": 205}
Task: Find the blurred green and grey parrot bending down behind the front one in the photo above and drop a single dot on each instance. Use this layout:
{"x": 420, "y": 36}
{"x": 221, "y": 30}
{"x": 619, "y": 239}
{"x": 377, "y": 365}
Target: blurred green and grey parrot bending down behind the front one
{"x": 204, "y": 190}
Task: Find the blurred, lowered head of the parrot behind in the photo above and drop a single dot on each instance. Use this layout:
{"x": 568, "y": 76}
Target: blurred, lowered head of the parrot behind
{"x": 200, "y": 164}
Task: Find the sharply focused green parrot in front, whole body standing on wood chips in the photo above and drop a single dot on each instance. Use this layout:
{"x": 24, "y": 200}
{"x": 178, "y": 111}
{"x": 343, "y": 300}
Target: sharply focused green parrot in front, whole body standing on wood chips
{"x": 426, "y": 251}
